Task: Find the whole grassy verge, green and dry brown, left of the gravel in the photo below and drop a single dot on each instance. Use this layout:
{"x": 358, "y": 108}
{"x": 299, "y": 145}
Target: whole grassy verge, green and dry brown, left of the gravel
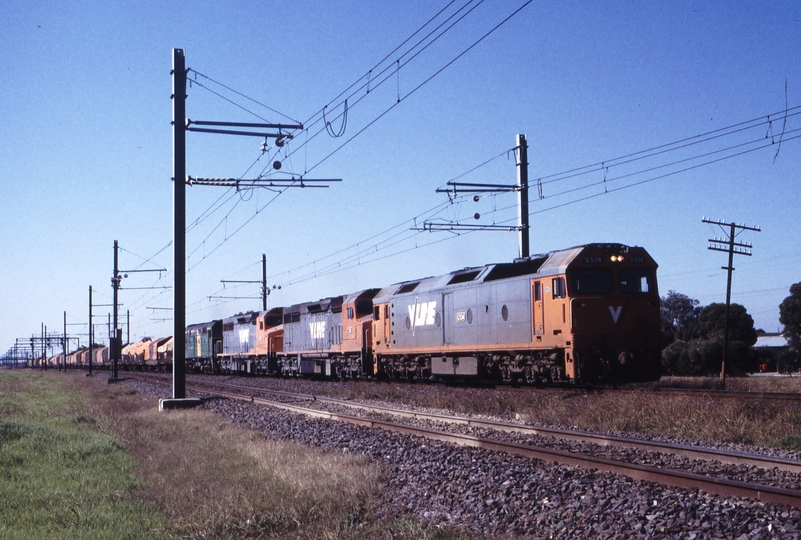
{"x": 82, "y": 459}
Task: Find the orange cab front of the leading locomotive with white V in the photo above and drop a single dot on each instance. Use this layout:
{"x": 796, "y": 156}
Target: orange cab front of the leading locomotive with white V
{"x": 613, "y": 302}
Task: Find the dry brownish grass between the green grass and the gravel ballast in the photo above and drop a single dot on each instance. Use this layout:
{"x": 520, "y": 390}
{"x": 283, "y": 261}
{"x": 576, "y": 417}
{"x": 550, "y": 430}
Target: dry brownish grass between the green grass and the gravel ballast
{"x": 215, "y": 480}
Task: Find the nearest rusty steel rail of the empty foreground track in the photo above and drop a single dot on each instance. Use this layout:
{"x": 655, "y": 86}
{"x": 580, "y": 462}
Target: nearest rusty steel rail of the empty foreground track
{"x": 720, "y": 486}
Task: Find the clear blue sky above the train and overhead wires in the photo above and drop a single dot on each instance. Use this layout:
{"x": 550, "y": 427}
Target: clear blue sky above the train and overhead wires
{"x": 86, "y": 153}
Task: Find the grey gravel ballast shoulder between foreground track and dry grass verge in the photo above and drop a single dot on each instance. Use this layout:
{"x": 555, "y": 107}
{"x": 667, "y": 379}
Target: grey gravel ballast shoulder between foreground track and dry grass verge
{"x": 498, "y": 494}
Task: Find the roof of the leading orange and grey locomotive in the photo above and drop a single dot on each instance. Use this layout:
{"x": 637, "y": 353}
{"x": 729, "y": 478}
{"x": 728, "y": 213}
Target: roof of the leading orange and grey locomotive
{"x": 548, "y": 264}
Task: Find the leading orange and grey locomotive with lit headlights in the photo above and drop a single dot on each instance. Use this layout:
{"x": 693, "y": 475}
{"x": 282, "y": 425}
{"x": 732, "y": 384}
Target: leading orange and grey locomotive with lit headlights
{"x": 584, "y": 314}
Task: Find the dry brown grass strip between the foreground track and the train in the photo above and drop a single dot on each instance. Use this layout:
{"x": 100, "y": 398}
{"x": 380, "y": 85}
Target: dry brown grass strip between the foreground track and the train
{"x": 700, "y": 418}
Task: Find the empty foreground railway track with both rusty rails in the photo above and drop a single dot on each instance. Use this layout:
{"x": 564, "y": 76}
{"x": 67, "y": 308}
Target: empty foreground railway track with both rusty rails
{"x": 677, "y": 478}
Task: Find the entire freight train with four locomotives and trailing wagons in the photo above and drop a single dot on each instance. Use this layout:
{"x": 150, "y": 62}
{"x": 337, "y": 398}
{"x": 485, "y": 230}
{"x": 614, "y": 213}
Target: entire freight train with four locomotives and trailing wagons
{"x": 585, "y": 314}
